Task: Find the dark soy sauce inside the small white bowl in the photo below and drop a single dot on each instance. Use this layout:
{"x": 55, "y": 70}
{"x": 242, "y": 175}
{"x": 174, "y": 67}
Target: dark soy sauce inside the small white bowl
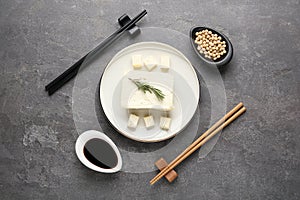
{"x": 100, "y": 153}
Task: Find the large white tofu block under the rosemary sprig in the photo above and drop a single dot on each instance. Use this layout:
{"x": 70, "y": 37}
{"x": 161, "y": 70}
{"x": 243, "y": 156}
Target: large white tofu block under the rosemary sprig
{"x": 132, "y": 98}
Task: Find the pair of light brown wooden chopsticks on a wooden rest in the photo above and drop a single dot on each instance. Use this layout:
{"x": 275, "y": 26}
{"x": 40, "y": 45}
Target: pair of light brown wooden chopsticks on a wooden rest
{"x": 218, "y": 126}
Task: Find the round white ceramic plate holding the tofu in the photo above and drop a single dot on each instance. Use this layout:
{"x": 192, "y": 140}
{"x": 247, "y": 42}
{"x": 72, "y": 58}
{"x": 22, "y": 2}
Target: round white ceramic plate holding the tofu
{"x": 186, "y": 91}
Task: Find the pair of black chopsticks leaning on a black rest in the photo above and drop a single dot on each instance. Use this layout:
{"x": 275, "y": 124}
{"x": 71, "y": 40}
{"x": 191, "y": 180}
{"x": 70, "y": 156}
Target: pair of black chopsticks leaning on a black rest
{"x": 71, "y": 72}
